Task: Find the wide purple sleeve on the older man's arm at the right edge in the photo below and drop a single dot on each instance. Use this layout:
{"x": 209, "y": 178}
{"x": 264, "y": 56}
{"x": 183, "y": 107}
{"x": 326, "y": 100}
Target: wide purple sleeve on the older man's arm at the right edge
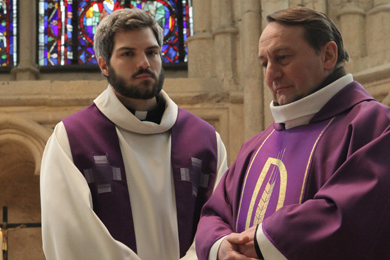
{"x": 348, "y": 218}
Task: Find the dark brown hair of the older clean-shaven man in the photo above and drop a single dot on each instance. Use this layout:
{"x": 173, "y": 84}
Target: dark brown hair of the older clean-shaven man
{"x": 318, "y": 28}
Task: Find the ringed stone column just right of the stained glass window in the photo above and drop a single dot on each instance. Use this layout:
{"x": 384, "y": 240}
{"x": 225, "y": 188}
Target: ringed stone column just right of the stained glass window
{"x": 200, "y": 45}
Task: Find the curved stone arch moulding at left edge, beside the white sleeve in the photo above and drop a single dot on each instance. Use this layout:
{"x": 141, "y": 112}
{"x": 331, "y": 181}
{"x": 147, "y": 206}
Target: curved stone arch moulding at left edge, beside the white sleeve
{"x": 27, "y": 133}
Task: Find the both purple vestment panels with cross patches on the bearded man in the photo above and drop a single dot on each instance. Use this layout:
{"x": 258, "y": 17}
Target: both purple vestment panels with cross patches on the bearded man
{"x": 96, "y": 153}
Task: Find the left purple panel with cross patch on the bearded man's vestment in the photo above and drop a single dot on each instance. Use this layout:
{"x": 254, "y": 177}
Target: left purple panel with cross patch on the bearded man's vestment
{"x": 96, "y": 153}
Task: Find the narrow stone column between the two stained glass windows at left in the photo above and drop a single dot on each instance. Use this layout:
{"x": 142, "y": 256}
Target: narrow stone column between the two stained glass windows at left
{"x": 27, "y": 68}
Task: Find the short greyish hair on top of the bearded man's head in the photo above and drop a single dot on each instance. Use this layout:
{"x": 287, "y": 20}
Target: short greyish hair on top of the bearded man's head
{"x": 122, "y": 20}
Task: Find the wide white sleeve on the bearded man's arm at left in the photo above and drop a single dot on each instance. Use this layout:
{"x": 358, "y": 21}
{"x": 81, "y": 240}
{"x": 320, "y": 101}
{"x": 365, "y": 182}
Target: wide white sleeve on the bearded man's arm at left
{"x": 70, "y": 228}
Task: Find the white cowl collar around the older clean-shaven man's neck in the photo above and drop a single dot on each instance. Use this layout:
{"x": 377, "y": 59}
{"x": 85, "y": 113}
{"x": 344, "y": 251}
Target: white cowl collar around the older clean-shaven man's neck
{"x": 302, "y": 111}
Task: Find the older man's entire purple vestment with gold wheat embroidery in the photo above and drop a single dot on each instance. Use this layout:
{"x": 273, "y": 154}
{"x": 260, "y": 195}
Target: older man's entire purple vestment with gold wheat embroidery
{"x": 320, "y": 190}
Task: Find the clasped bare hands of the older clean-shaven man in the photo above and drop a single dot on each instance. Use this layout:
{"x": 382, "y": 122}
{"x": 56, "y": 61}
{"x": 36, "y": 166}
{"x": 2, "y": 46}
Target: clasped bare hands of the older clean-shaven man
{"x": 233, "y": 246}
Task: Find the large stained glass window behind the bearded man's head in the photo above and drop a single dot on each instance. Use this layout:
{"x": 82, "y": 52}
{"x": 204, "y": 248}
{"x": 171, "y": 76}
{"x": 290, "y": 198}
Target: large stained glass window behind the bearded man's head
{"x": 67, "y": 27}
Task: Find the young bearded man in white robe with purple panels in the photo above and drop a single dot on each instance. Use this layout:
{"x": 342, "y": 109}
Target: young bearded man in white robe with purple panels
{"x": 126, "y": 177}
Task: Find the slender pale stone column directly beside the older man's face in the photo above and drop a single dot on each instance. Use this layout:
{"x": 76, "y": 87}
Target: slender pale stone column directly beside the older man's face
{"x": 252, "y": 74}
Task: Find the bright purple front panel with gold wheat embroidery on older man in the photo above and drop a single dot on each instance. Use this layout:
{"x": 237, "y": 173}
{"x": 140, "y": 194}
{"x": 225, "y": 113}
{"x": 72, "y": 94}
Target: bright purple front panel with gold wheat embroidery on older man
{"x": 277, "y": 174}
